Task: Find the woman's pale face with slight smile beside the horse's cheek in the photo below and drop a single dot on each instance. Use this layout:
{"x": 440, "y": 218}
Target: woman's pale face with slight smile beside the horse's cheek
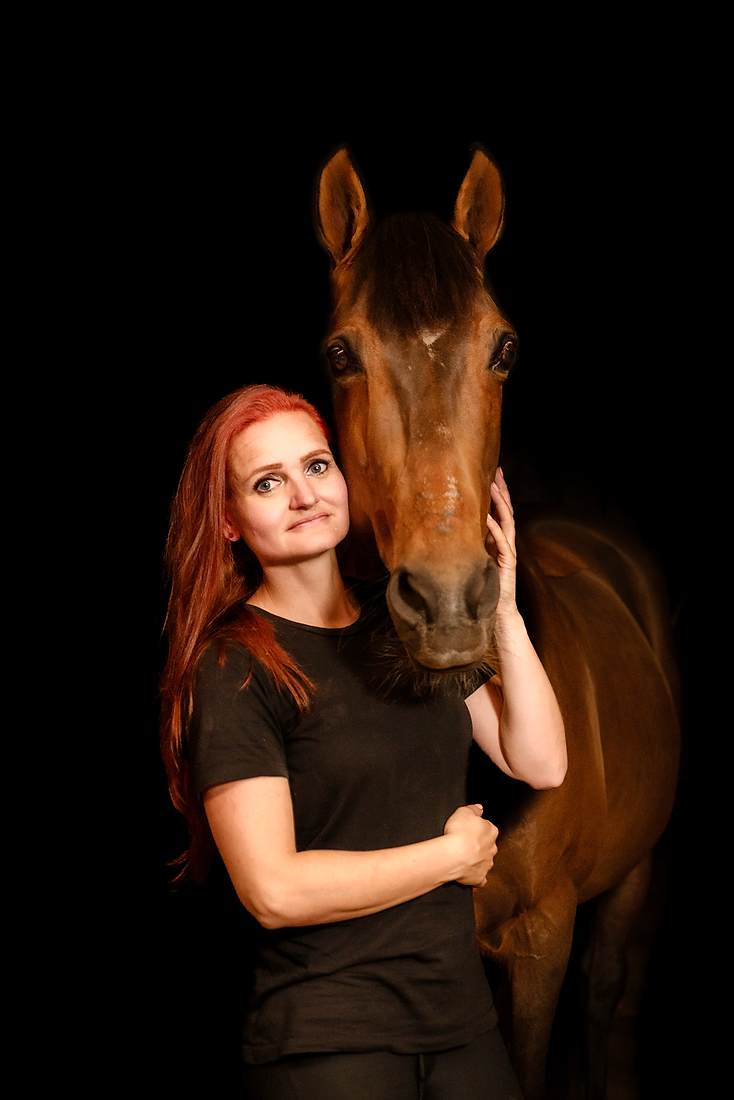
{"x": 288, "y": 499}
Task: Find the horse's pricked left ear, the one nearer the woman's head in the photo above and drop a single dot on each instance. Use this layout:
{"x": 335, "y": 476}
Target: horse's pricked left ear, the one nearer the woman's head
{"x": 342, "y": 206}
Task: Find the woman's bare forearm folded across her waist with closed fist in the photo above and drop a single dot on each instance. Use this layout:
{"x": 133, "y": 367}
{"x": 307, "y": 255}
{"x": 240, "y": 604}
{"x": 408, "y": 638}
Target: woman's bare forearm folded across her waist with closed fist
{"x": 251, "y": 821}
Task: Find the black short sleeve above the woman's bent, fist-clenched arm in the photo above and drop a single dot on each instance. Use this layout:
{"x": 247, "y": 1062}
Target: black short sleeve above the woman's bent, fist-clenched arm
{"x": 236, "y": 732}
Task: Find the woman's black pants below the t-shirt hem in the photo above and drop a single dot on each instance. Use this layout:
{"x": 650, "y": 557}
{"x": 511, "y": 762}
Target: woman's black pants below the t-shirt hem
{"x": 480, "y": 1071}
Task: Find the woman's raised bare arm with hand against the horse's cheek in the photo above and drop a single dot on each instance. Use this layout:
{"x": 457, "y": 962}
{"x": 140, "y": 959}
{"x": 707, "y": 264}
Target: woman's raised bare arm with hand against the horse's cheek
{"x": 516, "y": 718}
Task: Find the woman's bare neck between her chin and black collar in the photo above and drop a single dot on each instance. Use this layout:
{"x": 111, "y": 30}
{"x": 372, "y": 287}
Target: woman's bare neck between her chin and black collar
{"x": 312, "y": 593}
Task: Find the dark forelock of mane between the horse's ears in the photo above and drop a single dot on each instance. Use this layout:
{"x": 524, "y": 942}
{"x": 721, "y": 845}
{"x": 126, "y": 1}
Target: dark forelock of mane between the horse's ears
{"x": 418, "y": 272}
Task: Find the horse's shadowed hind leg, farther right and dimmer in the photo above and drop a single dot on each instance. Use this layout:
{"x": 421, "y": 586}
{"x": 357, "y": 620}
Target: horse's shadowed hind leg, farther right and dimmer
{"x": 605, "y": 964}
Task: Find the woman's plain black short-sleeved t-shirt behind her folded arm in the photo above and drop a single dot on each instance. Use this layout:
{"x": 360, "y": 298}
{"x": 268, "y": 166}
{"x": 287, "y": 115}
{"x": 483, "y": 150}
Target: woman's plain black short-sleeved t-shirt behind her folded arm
{"x": 366, "y": 773}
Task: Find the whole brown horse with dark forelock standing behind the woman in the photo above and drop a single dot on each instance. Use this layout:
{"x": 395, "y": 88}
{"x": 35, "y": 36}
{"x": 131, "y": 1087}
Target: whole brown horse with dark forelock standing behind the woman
{"x": 420, "y": 351}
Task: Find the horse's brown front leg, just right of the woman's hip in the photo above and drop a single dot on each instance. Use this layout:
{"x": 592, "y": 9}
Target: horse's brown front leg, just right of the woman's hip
{"x": 532, "y": 953}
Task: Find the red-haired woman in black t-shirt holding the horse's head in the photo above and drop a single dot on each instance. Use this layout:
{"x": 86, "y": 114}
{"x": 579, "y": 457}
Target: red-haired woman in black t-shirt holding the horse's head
{"x": 337, "y": 810}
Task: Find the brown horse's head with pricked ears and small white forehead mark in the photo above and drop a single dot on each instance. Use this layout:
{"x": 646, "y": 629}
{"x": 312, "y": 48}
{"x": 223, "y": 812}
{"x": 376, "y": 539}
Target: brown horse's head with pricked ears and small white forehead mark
{"x": 419, "y": 351}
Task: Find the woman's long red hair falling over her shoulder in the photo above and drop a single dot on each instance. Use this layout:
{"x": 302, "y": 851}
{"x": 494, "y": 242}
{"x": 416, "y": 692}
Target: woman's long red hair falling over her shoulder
{"x": 212, "y": 579}
